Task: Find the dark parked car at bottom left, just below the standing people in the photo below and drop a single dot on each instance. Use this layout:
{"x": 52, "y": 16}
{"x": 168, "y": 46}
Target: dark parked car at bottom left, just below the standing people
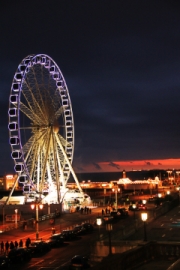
{"x": 19, "y": 255}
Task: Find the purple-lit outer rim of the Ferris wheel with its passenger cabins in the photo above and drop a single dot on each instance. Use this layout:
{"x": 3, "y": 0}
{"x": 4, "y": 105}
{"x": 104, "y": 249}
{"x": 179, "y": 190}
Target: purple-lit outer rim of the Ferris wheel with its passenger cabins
{"x": 15, "y": 97}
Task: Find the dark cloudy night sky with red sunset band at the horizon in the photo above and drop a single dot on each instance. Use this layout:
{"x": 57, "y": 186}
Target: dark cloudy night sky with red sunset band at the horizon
{"x": 121, "y": 63}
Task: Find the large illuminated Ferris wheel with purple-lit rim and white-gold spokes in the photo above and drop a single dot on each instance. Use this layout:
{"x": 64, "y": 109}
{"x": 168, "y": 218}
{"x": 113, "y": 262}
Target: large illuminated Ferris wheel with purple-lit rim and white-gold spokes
{"x": 41, "y": 126}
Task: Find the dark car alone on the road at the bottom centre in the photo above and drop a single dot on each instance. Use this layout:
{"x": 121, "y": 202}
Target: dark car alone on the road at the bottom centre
{"x": 79, "y": 262}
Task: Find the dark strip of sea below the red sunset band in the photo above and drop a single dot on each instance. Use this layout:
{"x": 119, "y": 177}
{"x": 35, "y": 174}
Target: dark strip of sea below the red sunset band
{"x": 111, "y": 176}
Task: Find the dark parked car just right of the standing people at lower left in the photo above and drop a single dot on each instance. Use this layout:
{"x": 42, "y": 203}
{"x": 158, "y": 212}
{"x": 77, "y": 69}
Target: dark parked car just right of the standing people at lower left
{"x": 39, "y": 247}
